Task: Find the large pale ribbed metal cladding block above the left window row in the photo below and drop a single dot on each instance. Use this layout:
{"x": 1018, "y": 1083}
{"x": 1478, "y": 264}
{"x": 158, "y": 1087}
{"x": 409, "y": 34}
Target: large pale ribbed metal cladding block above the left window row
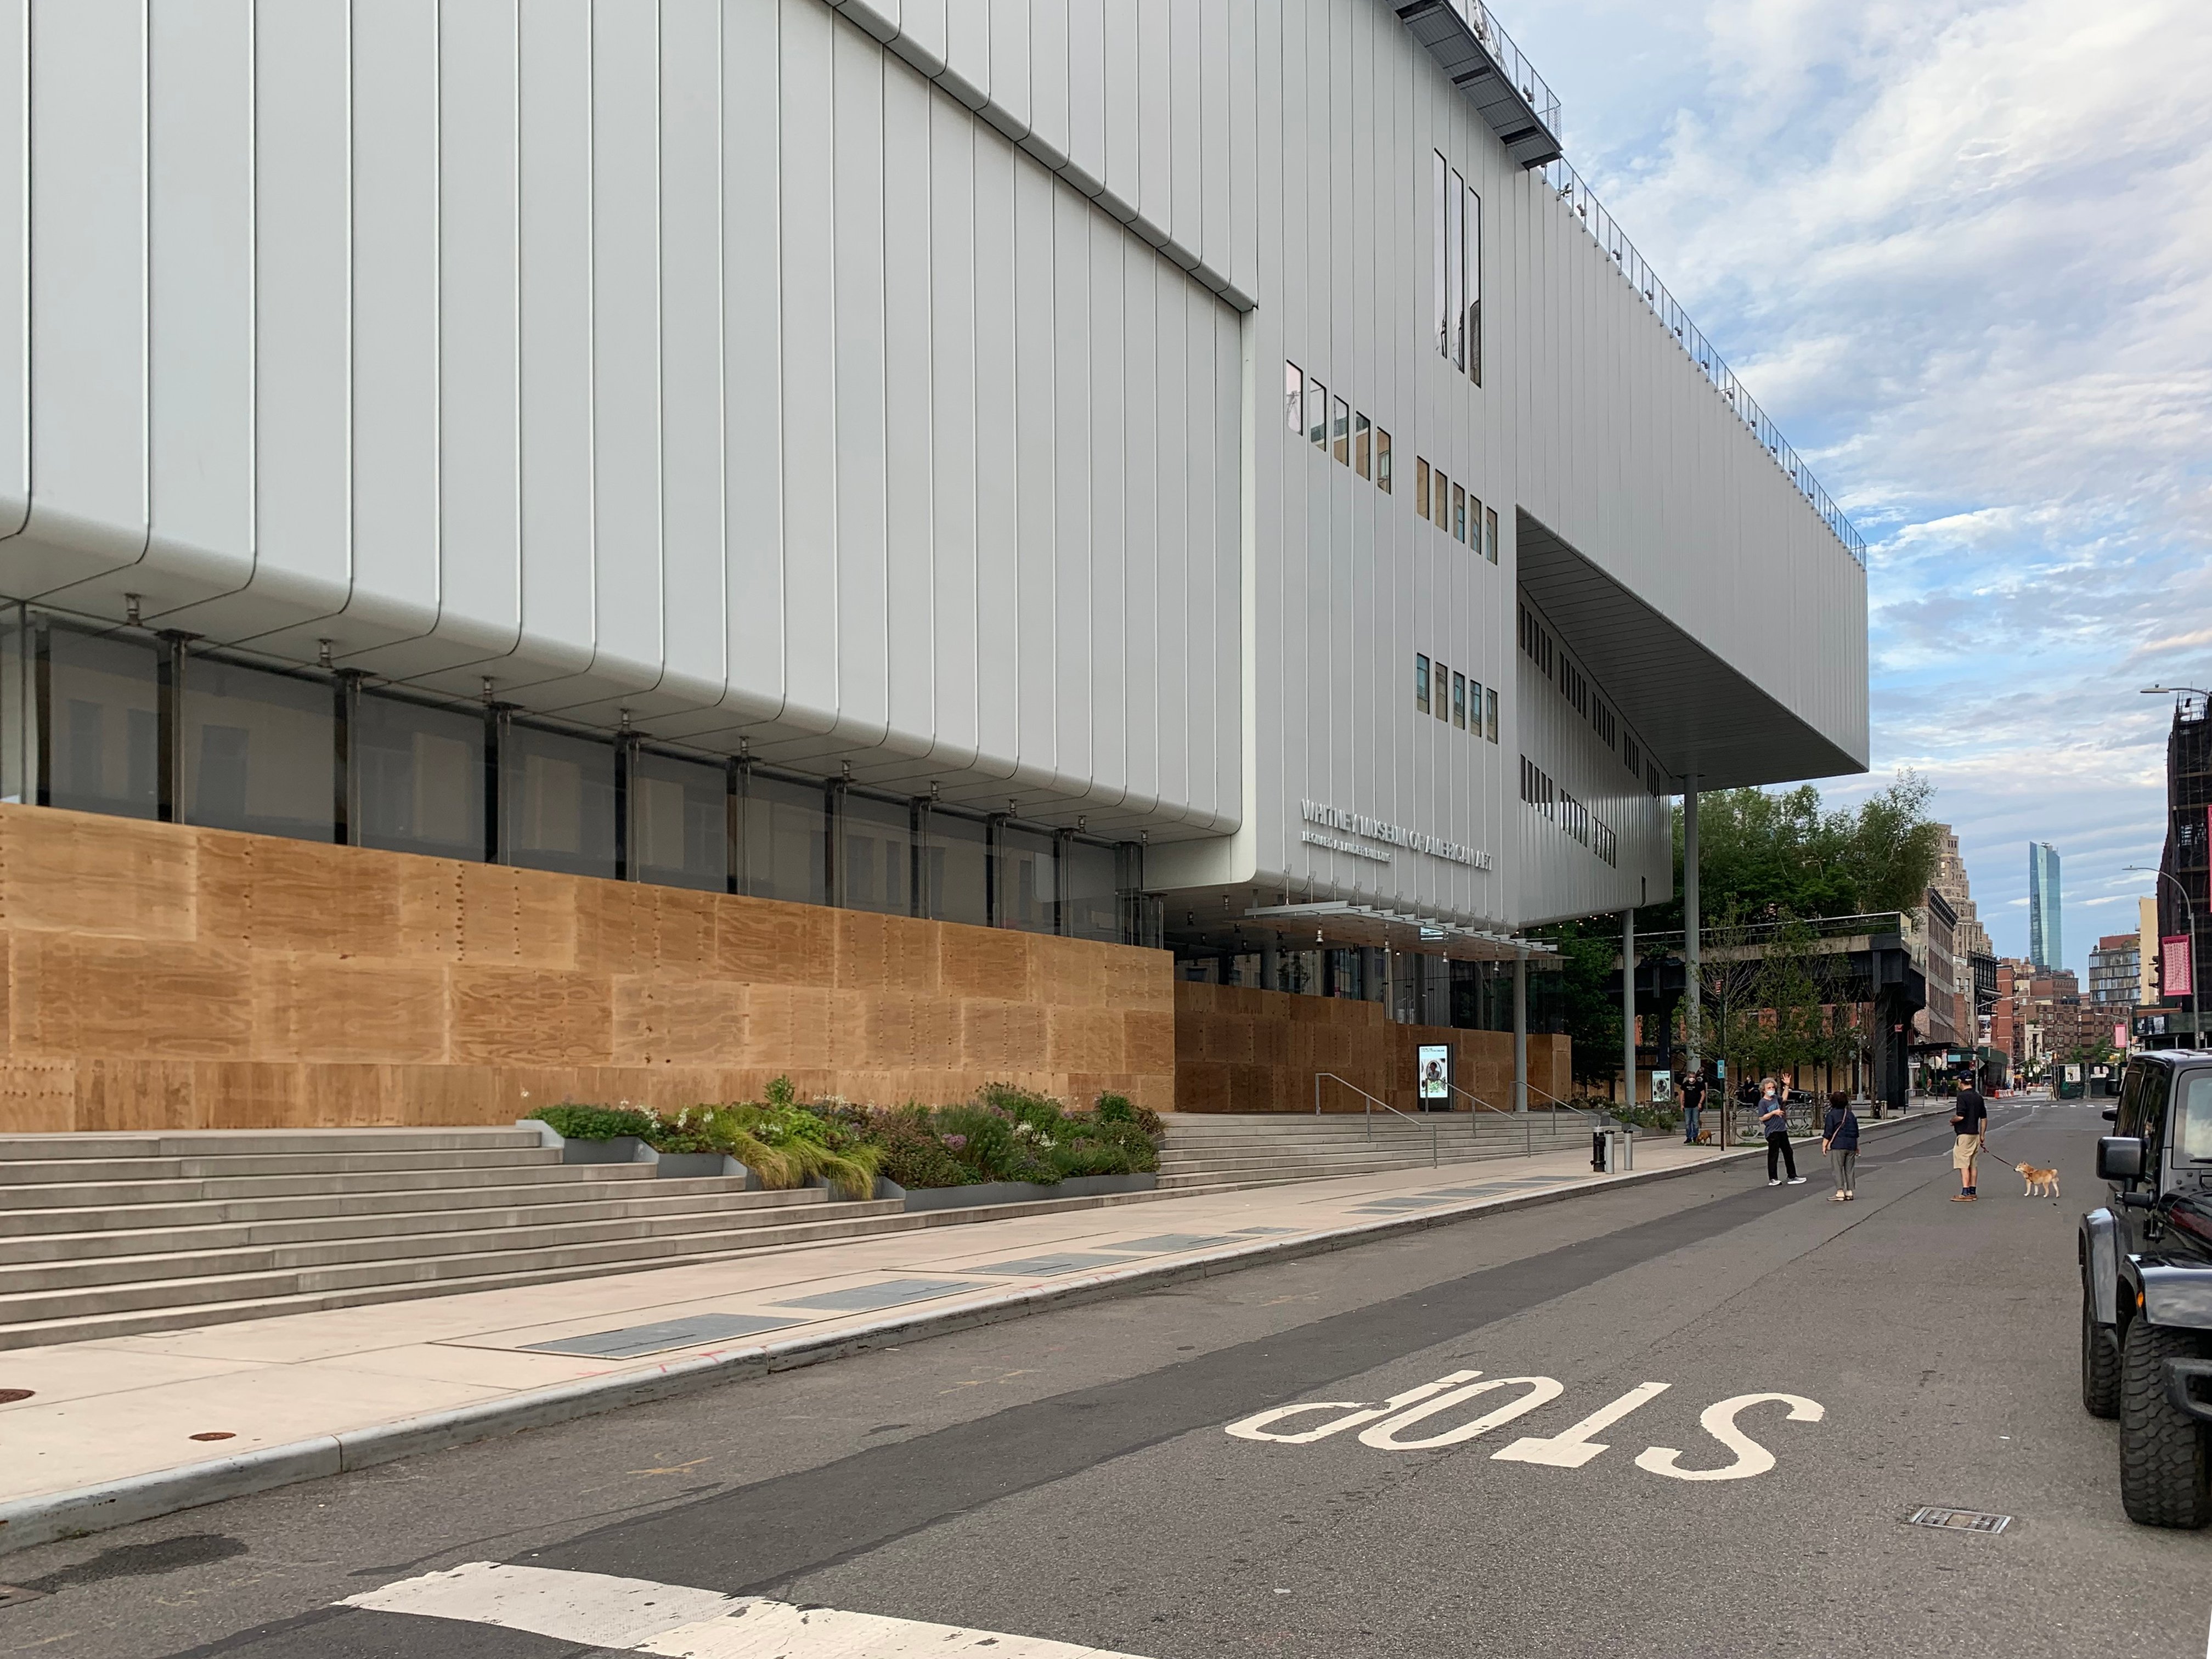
{"x": 687, "y": 359}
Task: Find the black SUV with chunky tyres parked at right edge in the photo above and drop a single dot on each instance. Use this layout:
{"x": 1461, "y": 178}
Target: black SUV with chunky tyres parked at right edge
{"x": 2147, "y": 1288}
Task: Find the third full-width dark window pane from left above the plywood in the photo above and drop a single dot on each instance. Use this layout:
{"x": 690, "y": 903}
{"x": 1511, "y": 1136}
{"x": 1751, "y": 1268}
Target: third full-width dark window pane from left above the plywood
{"x": 419, "y": 775}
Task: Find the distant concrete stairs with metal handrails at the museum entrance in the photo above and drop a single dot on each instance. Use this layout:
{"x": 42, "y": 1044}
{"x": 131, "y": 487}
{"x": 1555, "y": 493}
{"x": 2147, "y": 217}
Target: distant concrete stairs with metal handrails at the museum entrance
{"x": 1262, "y": 1149}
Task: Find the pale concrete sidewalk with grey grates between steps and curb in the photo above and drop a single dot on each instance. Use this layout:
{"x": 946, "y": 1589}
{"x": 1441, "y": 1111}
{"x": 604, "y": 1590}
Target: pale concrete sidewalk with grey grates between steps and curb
{"x": 132, "y": 1428}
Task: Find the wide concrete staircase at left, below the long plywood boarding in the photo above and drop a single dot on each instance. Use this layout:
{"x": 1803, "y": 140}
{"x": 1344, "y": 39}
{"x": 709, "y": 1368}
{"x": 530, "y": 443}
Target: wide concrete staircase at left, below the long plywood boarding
{"x": 105, "y": 1235}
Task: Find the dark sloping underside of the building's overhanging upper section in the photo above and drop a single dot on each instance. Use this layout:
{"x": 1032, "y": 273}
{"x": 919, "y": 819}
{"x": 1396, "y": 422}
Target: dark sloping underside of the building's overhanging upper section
{"x": 1689, "y": 705}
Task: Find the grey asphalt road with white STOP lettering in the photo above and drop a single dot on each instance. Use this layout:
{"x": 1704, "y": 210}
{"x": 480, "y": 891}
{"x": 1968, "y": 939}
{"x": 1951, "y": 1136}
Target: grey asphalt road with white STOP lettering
{"x": 1074, "y": 1479}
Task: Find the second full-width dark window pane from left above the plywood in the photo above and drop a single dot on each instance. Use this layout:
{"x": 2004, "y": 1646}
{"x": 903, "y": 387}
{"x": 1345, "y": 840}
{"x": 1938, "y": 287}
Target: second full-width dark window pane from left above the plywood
{"x": 260, "y": 751}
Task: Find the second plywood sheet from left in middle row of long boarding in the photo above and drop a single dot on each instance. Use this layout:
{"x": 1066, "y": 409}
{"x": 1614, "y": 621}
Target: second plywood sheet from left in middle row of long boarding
{"x": 333, "y": 1010}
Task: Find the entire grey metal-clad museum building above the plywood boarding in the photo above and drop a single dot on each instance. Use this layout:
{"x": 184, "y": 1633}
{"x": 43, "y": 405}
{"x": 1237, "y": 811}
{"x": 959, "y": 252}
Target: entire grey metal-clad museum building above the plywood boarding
{"x": 1160, "y": 474}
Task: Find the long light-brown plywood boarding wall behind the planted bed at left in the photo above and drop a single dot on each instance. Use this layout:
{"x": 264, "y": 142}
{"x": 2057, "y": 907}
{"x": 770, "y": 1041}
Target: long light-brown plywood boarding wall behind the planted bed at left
{"x": 165, "y": 977}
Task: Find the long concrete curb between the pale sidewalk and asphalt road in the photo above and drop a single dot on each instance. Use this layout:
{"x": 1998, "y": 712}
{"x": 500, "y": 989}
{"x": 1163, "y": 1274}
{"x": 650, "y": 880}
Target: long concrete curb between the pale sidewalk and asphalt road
{"x": 81, "y": 1512}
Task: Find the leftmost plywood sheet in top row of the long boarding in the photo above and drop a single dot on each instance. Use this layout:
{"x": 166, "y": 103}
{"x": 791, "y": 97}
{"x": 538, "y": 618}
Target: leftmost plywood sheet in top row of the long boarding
{"x": 90, "y": 875}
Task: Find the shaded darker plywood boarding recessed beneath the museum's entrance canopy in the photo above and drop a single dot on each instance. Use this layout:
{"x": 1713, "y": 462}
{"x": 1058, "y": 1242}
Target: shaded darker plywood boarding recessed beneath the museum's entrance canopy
{"x": 1260, "y": 1052}
